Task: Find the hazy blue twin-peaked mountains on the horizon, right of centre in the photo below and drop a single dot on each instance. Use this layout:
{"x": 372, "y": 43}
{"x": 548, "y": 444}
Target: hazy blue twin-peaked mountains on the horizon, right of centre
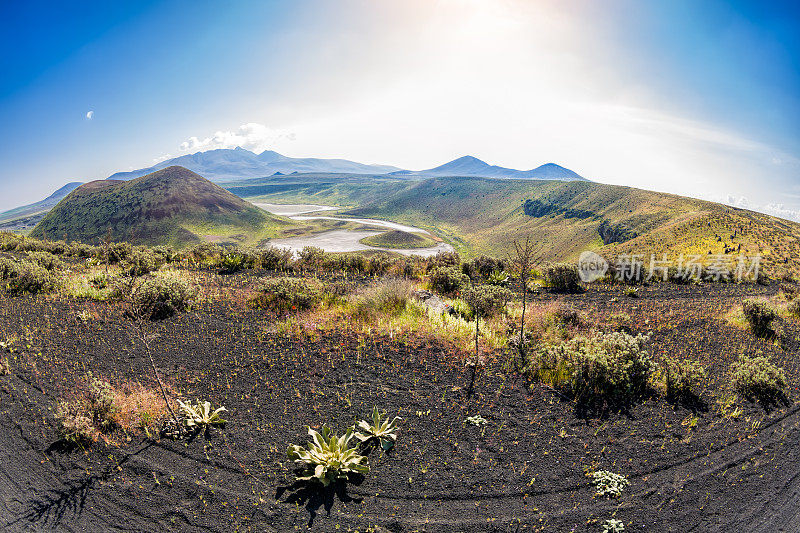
{"x": 473, "y": 167}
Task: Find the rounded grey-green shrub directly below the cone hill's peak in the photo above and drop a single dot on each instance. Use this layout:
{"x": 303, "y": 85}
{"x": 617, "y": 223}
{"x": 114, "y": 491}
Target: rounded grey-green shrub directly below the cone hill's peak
{"x": 162, "y": 296}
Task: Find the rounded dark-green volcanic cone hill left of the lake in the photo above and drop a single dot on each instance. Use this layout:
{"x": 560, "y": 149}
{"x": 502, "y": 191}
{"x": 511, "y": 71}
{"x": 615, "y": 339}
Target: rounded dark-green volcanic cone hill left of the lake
{"x": 171, "y": 206}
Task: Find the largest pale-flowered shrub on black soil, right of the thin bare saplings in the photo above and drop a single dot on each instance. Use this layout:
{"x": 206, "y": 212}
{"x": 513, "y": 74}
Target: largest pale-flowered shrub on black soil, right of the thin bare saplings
{"x": 610, "y": 366}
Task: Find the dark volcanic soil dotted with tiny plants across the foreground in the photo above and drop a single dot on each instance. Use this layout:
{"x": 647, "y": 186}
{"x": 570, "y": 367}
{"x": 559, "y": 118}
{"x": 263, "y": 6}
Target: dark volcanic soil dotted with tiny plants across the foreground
{"x": 524, "y": 471}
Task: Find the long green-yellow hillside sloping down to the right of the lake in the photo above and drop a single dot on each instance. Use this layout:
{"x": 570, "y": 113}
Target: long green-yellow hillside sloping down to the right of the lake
{"x": 484, "y": 216}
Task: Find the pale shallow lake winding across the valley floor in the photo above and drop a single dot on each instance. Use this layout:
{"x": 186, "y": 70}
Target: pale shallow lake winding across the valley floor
{"x": 343, "y": 240}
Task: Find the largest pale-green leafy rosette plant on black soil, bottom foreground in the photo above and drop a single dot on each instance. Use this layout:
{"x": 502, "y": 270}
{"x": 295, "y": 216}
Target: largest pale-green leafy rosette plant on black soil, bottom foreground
{"x": 328, "y": 458}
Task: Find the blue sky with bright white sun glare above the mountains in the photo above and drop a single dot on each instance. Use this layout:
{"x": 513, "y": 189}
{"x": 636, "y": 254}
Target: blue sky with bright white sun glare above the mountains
{"x": 692, "y": 97}
